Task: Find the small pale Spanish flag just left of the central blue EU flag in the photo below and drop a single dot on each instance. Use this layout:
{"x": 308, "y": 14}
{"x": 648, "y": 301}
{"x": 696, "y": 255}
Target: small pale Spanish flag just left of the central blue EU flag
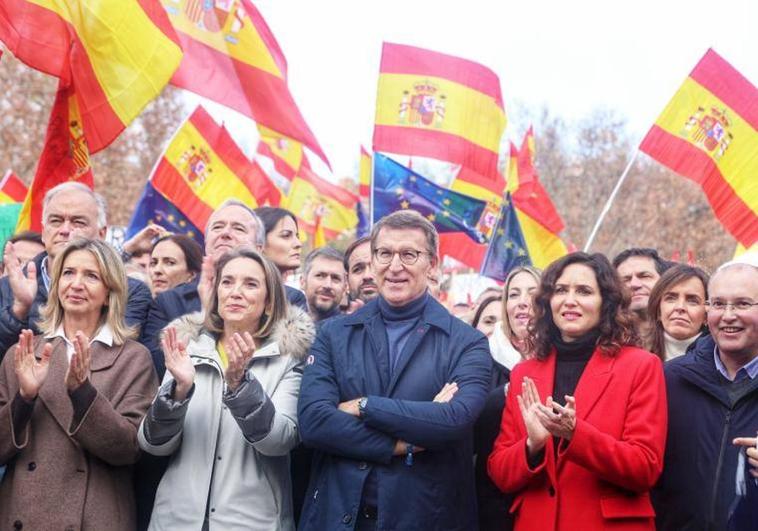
{"x": 316, "y": 201}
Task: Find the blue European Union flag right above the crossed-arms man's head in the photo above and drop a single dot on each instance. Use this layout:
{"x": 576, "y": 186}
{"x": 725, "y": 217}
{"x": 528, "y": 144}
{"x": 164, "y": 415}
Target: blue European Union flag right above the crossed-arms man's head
{"x": 396, "y": 187}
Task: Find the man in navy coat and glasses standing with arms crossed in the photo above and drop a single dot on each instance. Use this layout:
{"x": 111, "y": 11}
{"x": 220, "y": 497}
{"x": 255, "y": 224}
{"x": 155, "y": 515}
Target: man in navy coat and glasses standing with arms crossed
{"x": 389, "y": 399}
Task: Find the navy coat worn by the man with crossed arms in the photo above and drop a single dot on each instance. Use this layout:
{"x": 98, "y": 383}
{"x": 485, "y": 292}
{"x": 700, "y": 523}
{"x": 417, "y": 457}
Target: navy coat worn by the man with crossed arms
{"x": 349, "y": 359}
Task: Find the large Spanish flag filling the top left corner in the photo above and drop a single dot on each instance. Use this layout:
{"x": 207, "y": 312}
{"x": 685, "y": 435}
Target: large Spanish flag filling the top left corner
{"x": 117, "y": 55}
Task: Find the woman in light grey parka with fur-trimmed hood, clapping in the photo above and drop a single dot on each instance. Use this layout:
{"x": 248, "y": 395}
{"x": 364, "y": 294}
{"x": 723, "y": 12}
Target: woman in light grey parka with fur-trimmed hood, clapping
{"x": 227, "y": 410}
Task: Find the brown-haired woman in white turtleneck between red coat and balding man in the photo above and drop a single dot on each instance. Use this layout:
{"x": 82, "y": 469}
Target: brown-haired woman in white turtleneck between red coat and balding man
{"x": 677, "y": 310}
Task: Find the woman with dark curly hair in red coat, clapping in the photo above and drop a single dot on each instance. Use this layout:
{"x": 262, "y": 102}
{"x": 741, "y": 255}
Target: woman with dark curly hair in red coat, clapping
{"x": 583, "y": 432}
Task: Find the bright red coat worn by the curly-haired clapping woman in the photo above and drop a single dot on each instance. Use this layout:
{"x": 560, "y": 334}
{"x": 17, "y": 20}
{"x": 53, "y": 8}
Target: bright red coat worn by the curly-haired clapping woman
{"x": 600, "y": 479}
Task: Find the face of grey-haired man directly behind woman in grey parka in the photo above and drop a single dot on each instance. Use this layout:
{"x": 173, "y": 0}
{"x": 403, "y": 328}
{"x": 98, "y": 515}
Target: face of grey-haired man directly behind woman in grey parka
{"x": 229, "y": 228}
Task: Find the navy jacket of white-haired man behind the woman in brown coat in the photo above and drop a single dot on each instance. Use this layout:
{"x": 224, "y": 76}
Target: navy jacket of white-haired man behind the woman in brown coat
{"x": 136, "y": 307}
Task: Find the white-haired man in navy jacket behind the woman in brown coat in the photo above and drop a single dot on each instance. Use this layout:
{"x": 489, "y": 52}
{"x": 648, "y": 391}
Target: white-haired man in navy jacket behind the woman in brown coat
{"x": 70, "y": 210}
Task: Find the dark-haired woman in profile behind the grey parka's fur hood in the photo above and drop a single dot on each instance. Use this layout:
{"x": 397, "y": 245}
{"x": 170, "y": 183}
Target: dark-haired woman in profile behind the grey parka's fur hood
{"x": 283, "y": 246}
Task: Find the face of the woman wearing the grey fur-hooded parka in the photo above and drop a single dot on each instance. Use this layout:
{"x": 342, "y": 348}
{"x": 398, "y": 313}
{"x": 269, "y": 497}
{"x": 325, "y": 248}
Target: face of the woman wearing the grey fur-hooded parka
{"x": 242, "y": 294}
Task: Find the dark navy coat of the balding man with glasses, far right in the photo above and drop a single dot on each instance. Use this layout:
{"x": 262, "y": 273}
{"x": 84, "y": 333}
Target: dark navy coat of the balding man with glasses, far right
{"x": 697, "y": 488}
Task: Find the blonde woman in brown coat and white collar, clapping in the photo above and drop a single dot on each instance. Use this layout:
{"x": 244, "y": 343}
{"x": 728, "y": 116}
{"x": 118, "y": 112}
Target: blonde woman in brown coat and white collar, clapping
{"x": 71, "y": 401}
